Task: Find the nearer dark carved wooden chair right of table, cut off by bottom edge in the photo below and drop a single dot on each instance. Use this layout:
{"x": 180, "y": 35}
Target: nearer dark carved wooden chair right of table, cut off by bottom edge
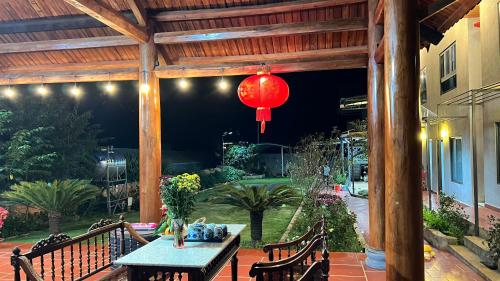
{"x": 304, "y": 265}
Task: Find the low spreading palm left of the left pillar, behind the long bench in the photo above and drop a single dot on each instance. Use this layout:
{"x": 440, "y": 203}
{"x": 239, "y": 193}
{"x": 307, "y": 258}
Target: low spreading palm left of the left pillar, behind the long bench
{"x": 55, "y": 198}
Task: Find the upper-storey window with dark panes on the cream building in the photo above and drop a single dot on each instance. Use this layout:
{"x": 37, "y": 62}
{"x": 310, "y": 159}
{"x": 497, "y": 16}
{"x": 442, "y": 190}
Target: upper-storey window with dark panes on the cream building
{"x": 448, "y": 68}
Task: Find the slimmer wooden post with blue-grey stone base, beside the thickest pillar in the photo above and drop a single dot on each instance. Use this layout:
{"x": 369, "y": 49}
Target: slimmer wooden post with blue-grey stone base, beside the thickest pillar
{"x": 376, "y": 177}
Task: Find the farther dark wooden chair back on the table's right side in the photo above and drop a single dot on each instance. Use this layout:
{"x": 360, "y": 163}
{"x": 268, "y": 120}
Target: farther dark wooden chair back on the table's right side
{"x": 294, "y": 246}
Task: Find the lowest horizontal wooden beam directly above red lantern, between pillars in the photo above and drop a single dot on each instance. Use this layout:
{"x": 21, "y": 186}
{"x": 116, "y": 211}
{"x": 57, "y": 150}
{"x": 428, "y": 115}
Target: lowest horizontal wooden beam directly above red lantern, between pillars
{"x": 176, "y": 71}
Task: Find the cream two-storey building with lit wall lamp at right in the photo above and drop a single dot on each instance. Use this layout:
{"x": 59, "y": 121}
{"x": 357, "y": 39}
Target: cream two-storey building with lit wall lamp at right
{"x": 464, "y": 64}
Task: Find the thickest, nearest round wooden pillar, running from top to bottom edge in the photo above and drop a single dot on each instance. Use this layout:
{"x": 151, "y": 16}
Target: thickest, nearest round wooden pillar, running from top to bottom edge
{"x": 403, "y": 200}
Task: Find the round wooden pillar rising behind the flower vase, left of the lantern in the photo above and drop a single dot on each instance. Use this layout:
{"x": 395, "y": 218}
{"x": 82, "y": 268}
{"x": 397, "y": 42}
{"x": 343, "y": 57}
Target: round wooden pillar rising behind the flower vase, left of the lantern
{"x": 149, "y": 135}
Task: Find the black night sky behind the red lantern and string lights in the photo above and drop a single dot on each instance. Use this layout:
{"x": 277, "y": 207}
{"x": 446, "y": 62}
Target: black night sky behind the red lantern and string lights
{"x": 195, "y": 120}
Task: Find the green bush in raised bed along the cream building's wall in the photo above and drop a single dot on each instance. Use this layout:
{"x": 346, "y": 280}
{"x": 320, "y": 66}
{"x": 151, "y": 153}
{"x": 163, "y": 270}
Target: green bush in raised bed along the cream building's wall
{"x": 450, "y": 218}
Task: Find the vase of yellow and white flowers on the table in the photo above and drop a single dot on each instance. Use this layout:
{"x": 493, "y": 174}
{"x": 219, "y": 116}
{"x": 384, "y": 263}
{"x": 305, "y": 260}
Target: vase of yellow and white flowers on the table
{"x": 178, "y": 195}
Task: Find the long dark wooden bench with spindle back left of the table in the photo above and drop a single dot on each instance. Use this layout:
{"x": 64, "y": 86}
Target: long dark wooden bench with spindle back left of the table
{"x": 78, "y": 258}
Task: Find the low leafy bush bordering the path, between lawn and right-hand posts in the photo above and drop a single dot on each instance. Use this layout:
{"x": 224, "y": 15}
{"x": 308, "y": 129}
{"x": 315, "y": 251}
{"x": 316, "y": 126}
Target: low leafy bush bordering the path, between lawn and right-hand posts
{"x": 342, "y": 236}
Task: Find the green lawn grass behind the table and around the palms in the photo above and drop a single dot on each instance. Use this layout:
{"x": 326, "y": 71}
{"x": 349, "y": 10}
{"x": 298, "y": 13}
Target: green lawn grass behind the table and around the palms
{"x": 274, "y": 224}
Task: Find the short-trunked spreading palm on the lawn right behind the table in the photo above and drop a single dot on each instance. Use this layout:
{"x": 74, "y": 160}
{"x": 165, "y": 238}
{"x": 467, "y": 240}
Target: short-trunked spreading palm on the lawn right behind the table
{"x": 257, "y": 199}
